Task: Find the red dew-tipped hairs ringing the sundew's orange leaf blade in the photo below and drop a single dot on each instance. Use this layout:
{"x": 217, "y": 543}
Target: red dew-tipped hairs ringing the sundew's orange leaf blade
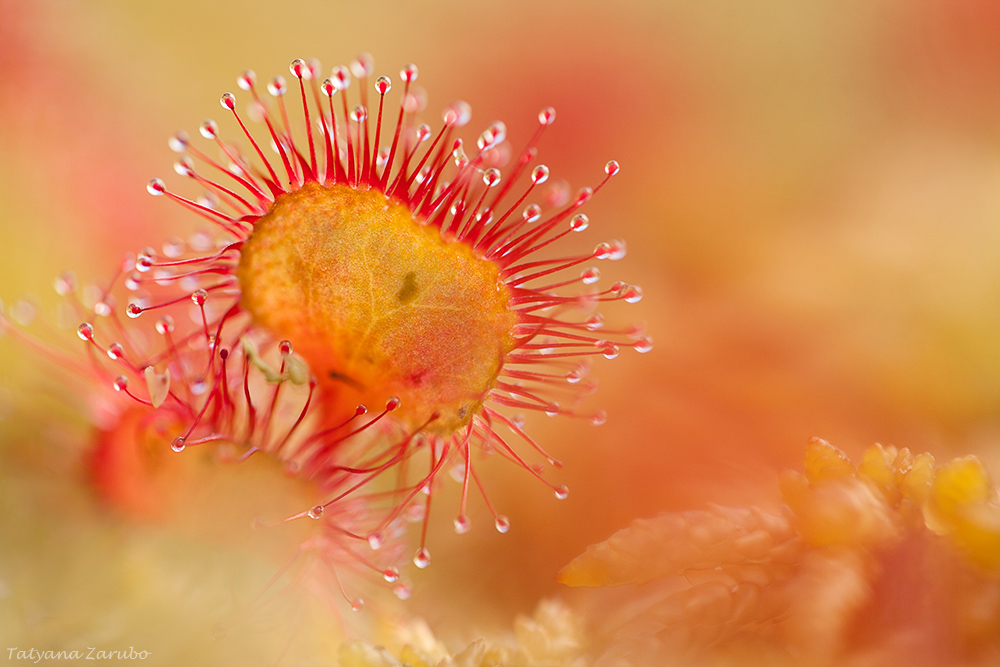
{"x": 190, "y": 347}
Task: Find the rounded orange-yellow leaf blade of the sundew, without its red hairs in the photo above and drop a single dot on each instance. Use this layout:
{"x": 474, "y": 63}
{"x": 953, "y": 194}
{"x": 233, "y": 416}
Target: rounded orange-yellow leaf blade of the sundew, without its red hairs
{"x": 378, "y": 304}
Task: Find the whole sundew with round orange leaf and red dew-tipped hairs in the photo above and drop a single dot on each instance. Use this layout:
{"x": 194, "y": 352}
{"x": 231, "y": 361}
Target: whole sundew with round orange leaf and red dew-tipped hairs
{"x": 373, "y": 304}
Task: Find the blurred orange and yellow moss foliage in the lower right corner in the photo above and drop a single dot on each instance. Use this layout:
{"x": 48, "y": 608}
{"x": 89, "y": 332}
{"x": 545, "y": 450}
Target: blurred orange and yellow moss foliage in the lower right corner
{"x": 887, "y": 562}
